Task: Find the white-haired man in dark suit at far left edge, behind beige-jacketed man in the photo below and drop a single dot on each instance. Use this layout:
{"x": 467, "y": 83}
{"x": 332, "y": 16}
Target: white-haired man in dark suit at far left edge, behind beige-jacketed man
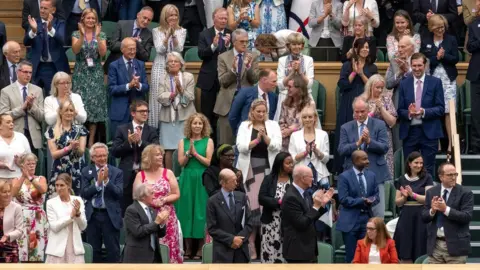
{"x": 8, "y": 75}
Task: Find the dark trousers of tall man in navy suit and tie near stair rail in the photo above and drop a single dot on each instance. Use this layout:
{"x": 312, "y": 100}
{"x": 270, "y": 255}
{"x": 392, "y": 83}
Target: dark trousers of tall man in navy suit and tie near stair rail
{"x": 417, "y": 141}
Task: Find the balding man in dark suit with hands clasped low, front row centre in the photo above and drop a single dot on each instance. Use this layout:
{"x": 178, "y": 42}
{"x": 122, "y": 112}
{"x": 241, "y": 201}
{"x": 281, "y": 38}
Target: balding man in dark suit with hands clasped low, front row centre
{"x": 228, "y": 221}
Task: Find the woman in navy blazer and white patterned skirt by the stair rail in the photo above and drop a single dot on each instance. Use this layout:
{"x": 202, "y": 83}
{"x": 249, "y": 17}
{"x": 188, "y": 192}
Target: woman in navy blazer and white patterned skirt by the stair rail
{"x": 441, "y": 50}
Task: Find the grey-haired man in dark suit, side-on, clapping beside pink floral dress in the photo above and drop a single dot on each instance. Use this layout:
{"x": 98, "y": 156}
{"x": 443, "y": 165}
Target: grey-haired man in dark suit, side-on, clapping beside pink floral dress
{"x": 143, "y": 228}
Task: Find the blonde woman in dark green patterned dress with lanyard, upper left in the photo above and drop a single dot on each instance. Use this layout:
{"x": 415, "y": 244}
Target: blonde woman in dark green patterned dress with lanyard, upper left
{"x": 89, "y": 44}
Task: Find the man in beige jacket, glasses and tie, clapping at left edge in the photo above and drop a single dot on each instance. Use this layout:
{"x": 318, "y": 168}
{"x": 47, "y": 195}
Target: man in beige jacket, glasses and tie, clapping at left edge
{"x": 24, "y": 101}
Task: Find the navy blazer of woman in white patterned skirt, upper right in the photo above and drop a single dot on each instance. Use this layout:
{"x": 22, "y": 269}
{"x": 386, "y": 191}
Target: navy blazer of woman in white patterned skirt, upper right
{"x": 449, "y": 60}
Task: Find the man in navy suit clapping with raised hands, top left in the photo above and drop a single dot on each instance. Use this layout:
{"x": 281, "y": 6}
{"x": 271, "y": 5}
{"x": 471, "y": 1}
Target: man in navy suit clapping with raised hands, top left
{"x": 46, "y": 36}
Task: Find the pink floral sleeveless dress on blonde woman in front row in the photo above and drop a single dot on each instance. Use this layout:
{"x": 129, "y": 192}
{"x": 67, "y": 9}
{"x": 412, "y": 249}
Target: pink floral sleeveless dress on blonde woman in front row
{"x": 161, "y": 189}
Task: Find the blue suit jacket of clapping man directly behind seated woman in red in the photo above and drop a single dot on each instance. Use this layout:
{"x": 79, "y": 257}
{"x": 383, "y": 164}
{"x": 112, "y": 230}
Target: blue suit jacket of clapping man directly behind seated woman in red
{"x": 351, "y": 202}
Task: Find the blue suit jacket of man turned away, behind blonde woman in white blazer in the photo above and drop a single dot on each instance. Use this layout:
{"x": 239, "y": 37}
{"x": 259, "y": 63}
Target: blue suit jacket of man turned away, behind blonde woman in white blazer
{"x": 241, "y": 106}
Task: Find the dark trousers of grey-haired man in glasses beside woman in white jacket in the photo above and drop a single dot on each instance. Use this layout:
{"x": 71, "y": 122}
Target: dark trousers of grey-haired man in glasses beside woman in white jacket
{"x": 100, "y": 231}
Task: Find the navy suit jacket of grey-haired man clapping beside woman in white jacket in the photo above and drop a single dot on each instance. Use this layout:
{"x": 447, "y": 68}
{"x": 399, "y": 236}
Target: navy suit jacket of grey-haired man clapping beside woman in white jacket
{"x": 112, "y": 195}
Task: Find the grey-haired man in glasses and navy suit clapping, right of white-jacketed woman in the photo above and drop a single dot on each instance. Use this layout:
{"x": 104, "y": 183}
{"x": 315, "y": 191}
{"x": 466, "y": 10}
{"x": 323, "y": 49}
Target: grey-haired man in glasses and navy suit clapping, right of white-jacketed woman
{"x": 102, "y": 190}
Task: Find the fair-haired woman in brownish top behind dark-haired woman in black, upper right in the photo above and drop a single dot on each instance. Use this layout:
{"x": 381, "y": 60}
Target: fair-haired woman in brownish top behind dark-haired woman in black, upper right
{"x": 359, "y": 32}
